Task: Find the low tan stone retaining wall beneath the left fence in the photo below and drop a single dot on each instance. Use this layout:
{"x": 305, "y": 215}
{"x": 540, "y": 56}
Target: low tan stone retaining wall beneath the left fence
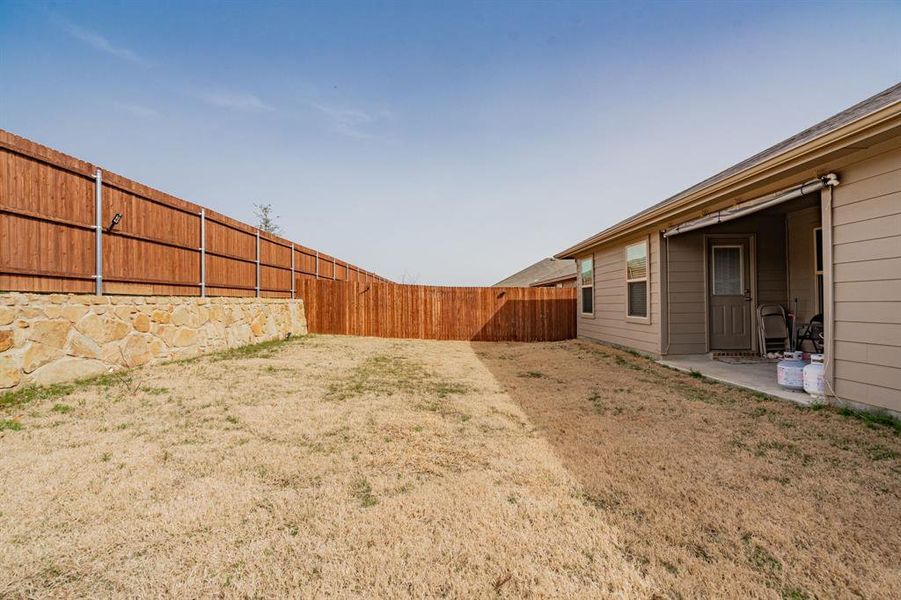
{"x": 50, "y": 338}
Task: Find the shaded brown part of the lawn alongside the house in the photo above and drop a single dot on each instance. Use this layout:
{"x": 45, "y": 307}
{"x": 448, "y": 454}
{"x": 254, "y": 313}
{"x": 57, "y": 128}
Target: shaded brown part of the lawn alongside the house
{"x": 714, "y": 491}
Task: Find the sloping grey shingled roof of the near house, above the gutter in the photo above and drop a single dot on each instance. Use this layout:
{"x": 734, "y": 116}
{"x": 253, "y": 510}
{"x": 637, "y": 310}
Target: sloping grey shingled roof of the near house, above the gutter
{"x": 870, "y": 106}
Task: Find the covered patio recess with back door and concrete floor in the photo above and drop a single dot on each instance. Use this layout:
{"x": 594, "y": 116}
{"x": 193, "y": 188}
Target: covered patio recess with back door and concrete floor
{"x": 721, "y": 269}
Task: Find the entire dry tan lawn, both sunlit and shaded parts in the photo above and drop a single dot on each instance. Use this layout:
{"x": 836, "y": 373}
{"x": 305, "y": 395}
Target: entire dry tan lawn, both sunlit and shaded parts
{"x": 338, "y": 466}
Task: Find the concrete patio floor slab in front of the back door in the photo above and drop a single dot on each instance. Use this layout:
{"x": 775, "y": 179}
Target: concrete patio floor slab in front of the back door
{"x": 755, "y": 376}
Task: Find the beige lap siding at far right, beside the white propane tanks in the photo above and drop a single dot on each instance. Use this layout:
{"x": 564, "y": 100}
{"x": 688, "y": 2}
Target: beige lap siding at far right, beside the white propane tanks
{"x": 866, "y": 225}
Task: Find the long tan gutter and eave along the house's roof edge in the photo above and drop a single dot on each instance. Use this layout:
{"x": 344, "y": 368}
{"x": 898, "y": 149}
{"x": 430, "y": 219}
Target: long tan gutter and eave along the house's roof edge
{"x": 878, "y": 119}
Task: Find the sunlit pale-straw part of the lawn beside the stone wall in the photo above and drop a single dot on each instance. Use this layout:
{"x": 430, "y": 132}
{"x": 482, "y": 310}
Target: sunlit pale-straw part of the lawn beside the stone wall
{"x": 325, "y": 466}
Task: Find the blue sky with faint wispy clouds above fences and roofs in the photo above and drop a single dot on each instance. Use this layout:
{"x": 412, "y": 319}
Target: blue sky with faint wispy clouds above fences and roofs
{"x": 448, "y": 143}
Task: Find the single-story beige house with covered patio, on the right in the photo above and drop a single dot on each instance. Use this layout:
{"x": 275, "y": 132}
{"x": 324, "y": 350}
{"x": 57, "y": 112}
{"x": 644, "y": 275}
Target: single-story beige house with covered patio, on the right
{"x": 812, "y": 224}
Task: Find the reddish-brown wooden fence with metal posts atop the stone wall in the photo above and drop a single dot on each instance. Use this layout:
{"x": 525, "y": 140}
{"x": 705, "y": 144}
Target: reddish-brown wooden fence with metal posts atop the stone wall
{"x": 57, "y": 235}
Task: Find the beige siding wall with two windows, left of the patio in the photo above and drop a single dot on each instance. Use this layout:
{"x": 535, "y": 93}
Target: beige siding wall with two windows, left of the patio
{"x": 609, "y": 323}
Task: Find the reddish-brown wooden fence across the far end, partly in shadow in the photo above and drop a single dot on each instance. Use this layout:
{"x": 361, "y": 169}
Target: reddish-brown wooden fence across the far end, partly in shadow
{"x": 439, "y": 313}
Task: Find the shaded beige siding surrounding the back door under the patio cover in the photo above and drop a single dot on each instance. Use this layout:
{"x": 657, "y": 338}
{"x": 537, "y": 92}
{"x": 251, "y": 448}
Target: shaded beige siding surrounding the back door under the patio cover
{"x": 687, "y": 285}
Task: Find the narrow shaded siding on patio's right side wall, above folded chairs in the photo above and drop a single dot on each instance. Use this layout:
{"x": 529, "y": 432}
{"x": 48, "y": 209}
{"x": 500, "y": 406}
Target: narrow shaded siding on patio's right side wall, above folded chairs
{"x": 801, "y": 262}
